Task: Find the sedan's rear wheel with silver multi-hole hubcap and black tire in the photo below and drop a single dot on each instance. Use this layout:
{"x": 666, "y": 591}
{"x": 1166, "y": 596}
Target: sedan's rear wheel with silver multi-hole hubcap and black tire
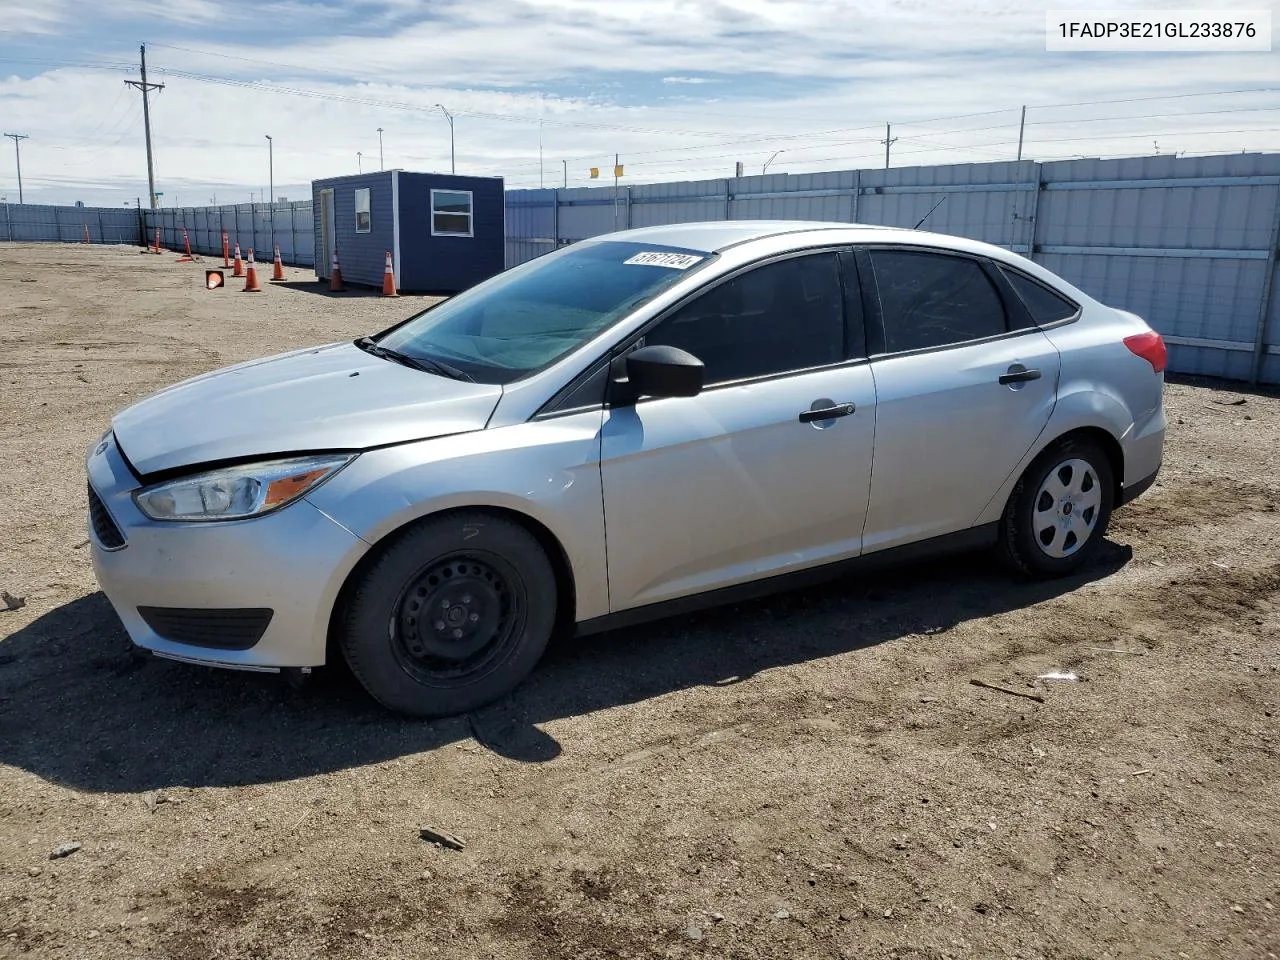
{"x": 1058, "y": 513}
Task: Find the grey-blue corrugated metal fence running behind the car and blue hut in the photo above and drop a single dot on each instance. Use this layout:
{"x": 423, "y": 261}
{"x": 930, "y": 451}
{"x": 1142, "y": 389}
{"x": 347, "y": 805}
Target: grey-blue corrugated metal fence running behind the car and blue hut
{"x": 1187, "y": 243}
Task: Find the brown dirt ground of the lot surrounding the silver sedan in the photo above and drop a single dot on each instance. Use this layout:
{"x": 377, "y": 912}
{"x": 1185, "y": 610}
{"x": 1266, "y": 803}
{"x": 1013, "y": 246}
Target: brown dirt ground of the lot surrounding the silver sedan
{"x": 806, "y": 776}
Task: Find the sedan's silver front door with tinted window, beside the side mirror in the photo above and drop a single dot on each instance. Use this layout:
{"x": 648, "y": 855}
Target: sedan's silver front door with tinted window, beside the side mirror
{"x": 769, "y": 469}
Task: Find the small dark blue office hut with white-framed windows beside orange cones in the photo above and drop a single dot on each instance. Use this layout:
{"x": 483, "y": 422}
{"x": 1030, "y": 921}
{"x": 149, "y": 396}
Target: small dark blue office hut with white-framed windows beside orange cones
{"x": 445, "y": 234}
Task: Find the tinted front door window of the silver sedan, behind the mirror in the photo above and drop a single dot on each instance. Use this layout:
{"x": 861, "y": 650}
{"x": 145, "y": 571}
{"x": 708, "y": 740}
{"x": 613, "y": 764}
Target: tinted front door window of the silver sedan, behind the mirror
{"x": 774, "y": 319}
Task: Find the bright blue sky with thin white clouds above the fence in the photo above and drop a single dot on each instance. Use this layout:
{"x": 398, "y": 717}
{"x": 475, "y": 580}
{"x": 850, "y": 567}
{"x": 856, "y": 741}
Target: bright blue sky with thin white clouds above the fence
{"x": 543, "y": 90}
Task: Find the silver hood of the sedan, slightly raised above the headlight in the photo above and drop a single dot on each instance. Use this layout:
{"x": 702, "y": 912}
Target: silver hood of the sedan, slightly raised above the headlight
{"x": 322, "y": 399}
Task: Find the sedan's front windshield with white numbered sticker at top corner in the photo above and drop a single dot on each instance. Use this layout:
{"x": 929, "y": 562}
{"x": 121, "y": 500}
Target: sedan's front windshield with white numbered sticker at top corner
{"x": 528, "y": 318}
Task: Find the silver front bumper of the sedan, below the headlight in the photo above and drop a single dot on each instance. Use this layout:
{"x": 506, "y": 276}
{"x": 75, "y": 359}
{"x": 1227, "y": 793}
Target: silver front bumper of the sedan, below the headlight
{"x": 292, "y": 564}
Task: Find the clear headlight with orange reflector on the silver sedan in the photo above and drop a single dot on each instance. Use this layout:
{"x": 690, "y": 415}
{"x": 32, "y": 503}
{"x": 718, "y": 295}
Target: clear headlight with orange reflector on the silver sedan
{"x": 235, "y": 493}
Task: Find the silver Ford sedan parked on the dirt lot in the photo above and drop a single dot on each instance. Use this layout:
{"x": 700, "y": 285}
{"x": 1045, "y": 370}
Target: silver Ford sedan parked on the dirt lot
{"x": 624, "y": 429}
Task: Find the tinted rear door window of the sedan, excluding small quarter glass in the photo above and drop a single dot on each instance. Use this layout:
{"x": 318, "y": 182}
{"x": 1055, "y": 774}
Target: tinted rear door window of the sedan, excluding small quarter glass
{"x": 934, "y": 300}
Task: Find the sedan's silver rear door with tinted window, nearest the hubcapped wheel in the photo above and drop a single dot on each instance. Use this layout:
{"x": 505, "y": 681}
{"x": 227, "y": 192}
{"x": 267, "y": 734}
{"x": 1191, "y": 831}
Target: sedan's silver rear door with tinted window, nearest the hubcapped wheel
{"x": 964, "y": 387}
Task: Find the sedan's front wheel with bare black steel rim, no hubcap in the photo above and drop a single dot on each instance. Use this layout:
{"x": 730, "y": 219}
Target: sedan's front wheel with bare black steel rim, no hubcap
{"x": 491, "y": 592}
